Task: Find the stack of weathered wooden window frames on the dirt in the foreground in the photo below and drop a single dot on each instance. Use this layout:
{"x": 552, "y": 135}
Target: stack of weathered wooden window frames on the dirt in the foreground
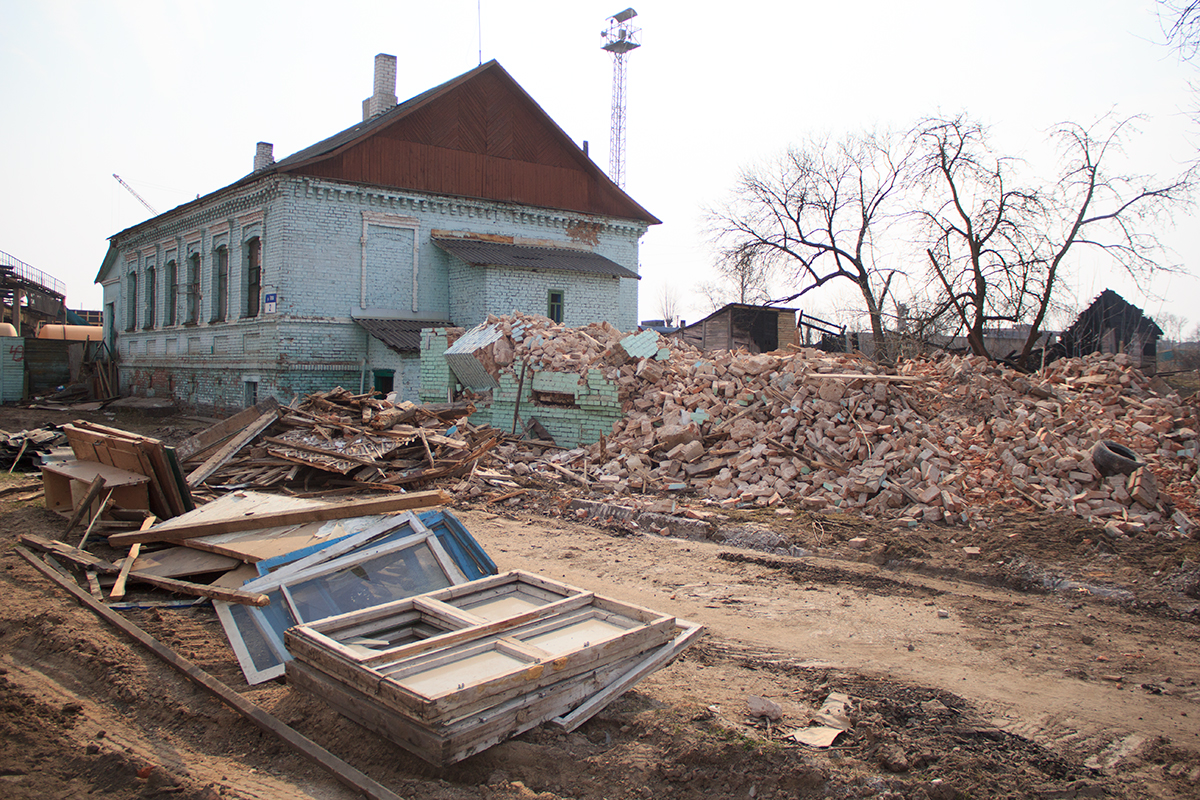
{"x": 453, "y": 672}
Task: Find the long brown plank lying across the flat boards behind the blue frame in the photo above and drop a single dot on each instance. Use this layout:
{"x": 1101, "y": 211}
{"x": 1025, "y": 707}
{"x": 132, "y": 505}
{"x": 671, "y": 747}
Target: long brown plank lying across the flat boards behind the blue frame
{"x": 250, "y": 521}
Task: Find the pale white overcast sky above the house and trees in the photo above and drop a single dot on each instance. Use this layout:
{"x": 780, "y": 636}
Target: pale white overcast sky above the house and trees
{"x": 172, "y": 97}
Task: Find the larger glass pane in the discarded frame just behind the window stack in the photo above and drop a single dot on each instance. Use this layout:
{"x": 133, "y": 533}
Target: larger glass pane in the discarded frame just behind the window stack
{"x": 381, "y": 580}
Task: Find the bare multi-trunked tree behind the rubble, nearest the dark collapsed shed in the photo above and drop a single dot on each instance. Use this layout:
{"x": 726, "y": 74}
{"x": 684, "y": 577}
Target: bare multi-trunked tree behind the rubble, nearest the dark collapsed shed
{"x": 998, "y": 250}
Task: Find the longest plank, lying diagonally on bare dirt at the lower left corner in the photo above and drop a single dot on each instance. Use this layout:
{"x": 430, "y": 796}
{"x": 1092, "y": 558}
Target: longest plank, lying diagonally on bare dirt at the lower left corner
{"x": 309, "y": 749}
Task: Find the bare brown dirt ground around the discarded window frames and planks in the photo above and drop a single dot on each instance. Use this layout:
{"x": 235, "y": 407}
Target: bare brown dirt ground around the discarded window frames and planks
{"x": 1057, "y": 663}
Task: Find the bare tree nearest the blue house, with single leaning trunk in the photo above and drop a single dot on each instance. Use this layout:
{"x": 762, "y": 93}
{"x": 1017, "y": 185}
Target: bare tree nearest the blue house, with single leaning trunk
{"x": 815, "y": 215}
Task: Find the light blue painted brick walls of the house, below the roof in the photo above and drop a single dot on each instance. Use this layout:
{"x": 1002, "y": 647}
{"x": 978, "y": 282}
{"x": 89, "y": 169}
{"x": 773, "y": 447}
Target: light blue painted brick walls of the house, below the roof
{"x": 313, "y": 261}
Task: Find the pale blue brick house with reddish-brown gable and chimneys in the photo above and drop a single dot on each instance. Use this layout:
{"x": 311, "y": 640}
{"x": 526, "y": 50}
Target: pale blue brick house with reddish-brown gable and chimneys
{"x": 323, "y": 268}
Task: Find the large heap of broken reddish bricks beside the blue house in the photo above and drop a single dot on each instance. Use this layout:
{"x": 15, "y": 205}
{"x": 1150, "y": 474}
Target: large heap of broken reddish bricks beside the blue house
{"x": 944, "y": 438}
